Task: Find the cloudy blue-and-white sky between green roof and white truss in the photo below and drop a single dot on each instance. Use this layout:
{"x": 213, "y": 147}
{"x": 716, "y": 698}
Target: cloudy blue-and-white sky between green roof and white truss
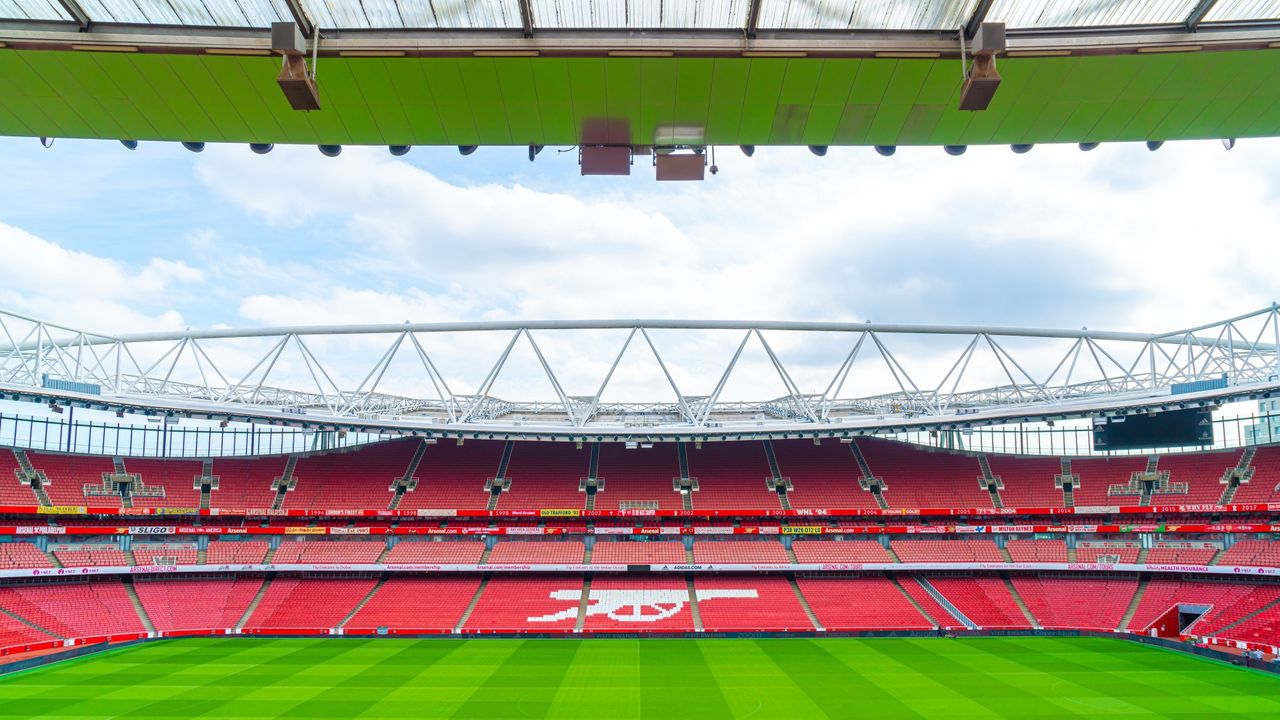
{"x": 95, "y": 236}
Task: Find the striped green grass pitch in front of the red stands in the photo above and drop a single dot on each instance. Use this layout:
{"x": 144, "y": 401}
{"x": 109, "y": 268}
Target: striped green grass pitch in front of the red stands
{"x": 641, "y": 678}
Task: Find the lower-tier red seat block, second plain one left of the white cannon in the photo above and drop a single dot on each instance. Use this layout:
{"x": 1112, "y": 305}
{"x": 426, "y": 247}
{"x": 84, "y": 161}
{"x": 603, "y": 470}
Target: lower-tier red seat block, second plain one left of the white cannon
{"x": 309, "y": 603}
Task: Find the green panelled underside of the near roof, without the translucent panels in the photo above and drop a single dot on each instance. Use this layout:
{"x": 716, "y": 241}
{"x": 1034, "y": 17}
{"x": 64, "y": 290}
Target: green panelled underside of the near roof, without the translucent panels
{"x": 548, "y": 101}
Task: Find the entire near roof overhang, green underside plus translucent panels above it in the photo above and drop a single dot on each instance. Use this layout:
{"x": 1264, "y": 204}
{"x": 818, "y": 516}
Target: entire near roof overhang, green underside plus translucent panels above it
{"x": 715, "y": 72}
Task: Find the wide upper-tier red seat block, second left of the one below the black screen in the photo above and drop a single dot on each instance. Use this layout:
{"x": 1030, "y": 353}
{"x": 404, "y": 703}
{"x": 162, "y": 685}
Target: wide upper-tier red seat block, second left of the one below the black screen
{"x": 918, "y": 479}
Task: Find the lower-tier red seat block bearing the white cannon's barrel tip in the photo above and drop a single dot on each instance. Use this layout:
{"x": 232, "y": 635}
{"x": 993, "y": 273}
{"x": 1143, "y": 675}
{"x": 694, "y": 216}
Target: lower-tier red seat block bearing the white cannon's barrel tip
{"x": 749, "y": 604}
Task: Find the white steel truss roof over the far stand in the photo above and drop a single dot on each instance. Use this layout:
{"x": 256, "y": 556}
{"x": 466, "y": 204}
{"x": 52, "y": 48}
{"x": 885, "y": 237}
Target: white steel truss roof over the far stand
{"x": 876, "y": 377}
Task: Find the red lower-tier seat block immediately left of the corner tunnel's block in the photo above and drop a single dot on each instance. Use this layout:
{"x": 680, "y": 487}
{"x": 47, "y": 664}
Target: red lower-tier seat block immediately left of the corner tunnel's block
{"x": 1060, "y": 603}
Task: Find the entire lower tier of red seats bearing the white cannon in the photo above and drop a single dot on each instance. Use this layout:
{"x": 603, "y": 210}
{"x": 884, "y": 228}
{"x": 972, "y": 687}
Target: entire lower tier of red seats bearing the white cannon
{"x": 39, "y": 612}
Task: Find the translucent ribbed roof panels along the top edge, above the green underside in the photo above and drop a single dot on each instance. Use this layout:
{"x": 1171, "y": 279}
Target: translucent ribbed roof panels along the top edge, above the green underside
{"x": 746, "y": 16}
